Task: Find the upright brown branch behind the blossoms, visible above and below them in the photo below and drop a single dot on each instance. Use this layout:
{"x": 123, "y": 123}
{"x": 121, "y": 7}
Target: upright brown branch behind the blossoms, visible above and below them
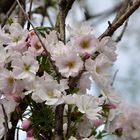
{"x": 64, "y": 8}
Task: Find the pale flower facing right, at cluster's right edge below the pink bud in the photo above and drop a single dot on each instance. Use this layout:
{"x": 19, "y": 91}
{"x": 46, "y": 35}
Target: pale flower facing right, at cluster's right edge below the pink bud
{"x": 99, "y": 68}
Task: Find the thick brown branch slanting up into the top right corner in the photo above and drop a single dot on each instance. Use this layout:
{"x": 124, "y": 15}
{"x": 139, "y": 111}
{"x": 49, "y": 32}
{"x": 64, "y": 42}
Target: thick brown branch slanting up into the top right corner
{"x": 130, "y": 10}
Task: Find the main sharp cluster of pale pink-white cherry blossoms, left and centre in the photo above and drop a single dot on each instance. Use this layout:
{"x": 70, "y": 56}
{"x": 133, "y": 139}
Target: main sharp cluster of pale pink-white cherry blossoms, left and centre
{"x": 53, "y": 72}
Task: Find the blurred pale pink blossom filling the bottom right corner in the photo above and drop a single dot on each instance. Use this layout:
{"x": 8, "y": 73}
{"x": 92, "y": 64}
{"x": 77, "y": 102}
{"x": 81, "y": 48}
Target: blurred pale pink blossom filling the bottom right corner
{"x": 126, "y": 118}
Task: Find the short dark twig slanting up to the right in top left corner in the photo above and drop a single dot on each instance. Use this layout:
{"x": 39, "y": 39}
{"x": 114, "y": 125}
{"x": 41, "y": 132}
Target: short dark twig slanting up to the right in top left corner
{"x": 9, "y": 13}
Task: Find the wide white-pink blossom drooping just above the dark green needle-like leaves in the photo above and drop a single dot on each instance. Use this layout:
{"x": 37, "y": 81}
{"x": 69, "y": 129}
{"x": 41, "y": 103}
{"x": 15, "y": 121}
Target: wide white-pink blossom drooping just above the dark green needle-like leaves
{"x": 47, "y": 89}
